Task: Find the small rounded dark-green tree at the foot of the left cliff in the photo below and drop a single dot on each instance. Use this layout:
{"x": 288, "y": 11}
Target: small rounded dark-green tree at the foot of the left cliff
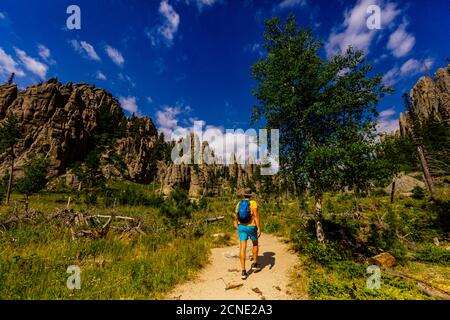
{"x": 35, "y": 178}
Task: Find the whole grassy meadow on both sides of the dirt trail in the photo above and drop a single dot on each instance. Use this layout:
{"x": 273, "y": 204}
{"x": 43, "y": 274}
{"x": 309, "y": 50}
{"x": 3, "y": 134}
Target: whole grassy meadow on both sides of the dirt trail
{"x": 34, "y": 255}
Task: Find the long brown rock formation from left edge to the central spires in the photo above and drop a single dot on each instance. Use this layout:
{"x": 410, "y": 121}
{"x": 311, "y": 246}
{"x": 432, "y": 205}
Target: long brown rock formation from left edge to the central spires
{"x": 67, "y": 122}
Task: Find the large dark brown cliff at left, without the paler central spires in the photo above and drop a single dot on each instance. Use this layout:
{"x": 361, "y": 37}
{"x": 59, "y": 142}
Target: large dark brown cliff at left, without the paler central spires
{"x": 60, "y": 121}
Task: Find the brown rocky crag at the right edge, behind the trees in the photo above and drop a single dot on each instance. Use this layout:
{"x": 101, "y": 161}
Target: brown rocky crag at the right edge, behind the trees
{"x": 430, "y": 100}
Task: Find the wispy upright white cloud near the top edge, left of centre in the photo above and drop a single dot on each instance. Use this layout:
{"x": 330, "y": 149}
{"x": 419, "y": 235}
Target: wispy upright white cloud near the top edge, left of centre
{"x": 168, "y": 27}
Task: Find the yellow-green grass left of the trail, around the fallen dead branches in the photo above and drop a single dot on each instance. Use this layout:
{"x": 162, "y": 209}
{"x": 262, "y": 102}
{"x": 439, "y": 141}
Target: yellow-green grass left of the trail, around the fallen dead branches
{"x": 34, "y": 258}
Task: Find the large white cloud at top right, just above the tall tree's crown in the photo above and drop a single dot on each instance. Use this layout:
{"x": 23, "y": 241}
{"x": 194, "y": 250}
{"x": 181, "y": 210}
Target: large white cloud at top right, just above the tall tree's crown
{"x": 354, "y": 31}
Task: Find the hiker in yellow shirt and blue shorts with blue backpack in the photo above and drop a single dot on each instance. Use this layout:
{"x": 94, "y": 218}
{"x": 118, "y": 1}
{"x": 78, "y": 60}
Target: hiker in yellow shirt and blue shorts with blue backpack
{"x": 249, "y": 226}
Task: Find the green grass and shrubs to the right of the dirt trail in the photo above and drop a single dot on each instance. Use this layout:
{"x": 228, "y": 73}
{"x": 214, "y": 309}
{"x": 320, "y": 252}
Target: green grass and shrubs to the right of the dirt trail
{"x": 335, "y": 271}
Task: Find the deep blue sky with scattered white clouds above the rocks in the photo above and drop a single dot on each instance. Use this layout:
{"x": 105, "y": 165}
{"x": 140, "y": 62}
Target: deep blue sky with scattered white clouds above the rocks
{"x": 184, "y": 60}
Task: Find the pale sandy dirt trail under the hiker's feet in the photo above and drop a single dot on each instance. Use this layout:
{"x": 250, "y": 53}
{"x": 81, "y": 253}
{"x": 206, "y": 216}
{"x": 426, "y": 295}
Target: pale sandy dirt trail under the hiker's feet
{"x": 271, "y": 282}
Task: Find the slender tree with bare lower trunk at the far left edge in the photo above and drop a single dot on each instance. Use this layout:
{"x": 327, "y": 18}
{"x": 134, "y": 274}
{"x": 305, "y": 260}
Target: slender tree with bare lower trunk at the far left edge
{"x": 9, "y": 135}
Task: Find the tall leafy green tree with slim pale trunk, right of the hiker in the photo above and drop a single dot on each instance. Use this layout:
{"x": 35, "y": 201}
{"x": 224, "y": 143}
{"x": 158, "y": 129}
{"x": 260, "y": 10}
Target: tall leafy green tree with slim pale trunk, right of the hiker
{"x": 325, "y": 109}
